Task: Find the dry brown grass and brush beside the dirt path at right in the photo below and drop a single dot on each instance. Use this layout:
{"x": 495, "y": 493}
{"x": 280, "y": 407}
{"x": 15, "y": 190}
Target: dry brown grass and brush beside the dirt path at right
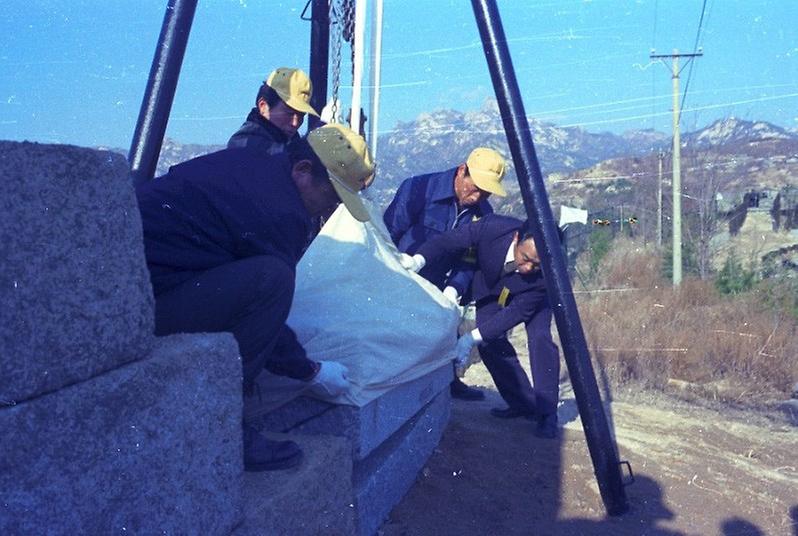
{"x": 642, "y": 331}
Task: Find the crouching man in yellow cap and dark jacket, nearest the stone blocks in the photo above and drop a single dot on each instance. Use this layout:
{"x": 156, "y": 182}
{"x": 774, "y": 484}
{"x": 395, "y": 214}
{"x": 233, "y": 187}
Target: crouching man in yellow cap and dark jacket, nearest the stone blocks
{"x": 222, "y": 236}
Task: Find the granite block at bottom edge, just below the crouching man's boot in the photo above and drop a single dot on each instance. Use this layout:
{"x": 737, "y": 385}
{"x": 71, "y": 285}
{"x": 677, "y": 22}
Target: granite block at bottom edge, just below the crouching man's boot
{"x": 315, "y": 498}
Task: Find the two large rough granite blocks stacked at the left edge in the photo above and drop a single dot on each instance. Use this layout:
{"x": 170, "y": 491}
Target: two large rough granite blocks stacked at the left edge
{"x": 104, "y": 429}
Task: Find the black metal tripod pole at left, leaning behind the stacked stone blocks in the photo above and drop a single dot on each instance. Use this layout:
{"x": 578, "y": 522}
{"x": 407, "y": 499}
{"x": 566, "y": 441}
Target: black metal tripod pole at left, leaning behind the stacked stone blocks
{"x": 160, "y": 92}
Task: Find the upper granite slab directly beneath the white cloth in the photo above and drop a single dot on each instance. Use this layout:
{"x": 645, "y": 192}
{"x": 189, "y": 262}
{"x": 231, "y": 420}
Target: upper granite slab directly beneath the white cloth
{"x": 366, "y": 427}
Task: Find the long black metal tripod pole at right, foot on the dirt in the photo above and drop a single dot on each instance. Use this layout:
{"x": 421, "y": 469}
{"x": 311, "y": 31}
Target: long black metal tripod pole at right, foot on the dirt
{"x": 600, "y": 443}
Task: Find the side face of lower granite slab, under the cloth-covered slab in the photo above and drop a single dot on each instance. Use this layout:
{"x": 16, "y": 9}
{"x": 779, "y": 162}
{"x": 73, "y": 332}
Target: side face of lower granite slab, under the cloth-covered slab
{"x": 381, "y": 480}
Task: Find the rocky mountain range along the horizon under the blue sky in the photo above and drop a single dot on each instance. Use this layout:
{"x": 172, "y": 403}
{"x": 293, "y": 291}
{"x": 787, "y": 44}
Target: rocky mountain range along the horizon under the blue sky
{"x": 742, "y": 154}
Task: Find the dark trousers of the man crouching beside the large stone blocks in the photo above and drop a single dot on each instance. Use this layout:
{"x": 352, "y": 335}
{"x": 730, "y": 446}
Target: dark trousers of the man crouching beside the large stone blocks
{"x": 250, "y": 298}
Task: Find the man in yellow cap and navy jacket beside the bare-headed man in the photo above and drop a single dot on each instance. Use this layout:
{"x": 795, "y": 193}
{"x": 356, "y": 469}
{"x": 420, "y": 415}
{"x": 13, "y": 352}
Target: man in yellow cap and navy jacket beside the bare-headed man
{"x": 427, "y": 205}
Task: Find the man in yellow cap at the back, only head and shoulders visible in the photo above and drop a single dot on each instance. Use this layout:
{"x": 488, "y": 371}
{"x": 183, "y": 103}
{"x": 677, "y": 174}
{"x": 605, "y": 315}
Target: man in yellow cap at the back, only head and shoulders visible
{"x": 280, "y": 108}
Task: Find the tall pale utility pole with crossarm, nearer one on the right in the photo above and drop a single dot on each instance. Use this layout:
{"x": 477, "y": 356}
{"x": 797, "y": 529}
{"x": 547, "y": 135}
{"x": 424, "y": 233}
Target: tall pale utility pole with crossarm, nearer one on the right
{"x": 677, "y": 175}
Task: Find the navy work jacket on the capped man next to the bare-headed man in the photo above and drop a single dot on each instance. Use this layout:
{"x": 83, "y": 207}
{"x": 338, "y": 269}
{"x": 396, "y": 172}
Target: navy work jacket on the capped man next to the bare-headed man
{"x": 426, "y": 206}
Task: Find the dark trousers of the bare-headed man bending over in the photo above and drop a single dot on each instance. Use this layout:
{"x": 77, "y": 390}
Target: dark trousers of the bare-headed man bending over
{"x": 511, "y": 380}
